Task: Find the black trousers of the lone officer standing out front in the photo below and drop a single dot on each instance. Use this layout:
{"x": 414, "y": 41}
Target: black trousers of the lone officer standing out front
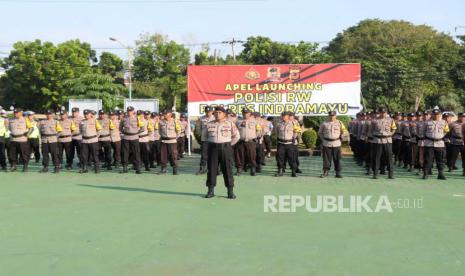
{"x": 220, "y": 154}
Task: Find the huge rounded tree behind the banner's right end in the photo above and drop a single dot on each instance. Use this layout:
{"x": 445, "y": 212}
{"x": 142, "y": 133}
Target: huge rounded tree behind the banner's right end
{"x": 404, "y": 66}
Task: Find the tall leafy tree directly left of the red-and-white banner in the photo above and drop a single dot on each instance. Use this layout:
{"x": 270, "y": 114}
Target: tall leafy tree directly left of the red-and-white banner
{"x": 162, "y": 63}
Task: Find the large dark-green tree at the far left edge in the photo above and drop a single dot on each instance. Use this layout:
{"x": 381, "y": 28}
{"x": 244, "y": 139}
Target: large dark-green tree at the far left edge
{"x": 35, "y": 71}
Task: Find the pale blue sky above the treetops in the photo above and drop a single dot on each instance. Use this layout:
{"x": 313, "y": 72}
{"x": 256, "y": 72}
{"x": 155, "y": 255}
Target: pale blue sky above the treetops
{"x": 202, "y": 21}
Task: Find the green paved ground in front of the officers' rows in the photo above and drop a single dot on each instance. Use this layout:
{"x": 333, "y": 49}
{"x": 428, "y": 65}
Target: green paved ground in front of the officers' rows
{"x": 112, "y": 224}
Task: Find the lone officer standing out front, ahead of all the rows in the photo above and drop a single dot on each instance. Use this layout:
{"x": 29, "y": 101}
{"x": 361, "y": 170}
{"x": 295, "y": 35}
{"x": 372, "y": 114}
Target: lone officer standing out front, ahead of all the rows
{"x": 221, "y": 135}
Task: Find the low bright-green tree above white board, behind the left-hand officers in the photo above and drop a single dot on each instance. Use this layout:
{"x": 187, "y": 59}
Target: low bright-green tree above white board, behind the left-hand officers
{"x": 95, "y": 86}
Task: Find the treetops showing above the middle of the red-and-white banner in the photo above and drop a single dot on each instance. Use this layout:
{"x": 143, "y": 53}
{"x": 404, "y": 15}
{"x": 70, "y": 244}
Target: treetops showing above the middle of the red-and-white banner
{"x": 262, "y": 50}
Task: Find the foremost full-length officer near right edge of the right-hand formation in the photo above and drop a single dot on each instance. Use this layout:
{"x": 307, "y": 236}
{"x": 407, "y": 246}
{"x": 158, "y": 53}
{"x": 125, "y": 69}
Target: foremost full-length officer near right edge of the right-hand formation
{"x": 434, "y": 131}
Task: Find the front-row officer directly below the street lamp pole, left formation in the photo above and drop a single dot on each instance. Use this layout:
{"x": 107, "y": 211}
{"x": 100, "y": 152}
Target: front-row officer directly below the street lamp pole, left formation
{"x": 130, "y": 127}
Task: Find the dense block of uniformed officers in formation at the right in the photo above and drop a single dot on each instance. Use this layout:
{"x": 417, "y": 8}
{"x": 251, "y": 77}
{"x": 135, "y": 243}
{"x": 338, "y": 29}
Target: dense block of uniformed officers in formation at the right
{"x": 412, "y": 140}
